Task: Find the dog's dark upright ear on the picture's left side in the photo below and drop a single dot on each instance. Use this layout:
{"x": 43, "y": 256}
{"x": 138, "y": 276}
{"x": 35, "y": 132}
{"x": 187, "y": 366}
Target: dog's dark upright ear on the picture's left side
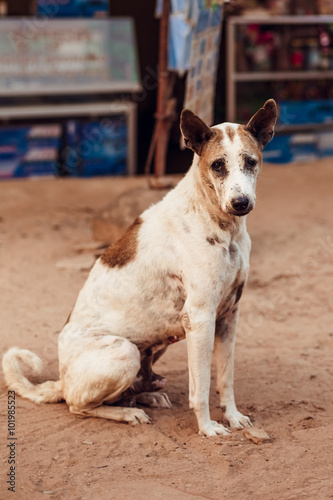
{"x": 195, "y": 132}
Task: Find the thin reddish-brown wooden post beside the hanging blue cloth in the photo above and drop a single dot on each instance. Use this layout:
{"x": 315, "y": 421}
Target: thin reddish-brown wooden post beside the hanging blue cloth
{"x": 162, "y": 126}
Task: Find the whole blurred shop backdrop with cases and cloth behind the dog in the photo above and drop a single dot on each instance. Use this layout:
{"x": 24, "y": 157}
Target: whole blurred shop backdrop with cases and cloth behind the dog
{"x": 95, "y": 87}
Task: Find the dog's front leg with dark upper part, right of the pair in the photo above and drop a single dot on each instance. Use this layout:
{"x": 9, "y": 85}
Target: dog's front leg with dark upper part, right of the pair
{"x": 225, "y": 333}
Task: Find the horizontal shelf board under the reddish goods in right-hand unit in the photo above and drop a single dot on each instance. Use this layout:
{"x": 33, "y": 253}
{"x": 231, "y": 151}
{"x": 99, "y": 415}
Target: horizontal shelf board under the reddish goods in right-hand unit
{"x": 257, "y": 76}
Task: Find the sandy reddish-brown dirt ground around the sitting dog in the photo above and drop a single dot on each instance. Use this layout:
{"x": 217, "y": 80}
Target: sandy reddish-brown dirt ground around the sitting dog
{"x": 283, "y": 368}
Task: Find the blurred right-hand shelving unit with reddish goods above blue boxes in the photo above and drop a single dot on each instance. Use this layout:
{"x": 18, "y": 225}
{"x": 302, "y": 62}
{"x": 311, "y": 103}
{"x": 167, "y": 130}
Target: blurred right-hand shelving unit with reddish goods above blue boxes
{"x": 284, "y": 50}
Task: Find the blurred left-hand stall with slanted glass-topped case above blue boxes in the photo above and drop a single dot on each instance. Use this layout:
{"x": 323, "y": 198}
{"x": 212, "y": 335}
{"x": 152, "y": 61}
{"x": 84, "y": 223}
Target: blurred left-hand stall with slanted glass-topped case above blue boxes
{"x": 66, "y": 78}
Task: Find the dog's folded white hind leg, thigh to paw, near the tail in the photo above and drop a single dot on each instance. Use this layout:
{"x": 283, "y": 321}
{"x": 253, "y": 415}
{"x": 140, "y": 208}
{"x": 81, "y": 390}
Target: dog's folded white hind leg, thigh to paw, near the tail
{"x": 100, "y": 371}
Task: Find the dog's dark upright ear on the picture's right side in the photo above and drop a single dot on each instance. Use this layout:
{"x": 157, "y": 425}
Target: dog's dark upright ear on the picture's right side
{"x": 262, "y": 124}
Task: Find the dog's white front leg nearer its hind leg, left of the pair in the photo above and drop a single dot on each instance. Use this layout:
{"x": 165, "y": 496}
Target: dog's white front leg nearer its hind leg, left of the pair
{"x": 200, "y": 342}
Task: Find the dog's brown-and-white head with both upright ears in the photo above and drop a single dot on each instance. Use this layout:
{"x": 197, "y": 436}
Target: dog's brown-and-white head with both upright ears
{"x": 230, "y": 155}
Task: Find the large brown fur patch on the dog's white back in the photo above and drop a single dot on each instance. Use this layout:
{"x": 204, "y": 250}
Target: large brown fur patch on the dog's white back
{"x": 124, "y": 250}
